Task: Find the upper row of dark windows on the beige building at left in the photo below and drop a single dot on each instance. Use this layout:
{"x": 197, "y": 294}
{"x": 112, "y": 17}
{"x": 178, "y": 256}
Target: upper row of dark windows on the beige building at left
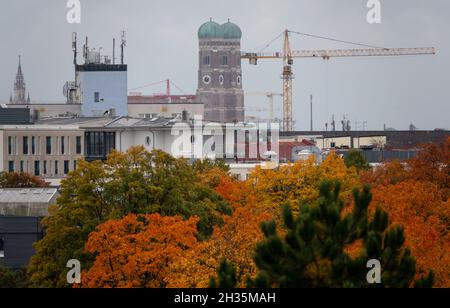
{"x": 35, "y": 142}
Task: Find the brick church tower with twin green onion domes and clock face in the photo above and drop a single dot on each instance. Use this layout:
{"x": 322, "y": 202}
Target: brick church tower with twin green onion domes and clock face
{"x": 220, "y": 74}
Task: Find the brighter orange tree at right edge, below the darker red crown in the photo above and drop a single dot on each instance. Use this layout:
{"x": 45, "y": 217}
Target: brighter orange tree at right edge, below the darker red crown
{"x": 418, "y": 207}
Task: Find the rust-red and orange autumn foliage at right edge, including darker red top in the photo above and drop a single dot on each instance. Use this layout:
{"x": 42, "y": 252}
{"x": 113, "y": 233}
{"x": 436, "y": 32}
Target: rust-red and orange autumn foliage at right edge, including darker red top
{"x": 415, "y": 193}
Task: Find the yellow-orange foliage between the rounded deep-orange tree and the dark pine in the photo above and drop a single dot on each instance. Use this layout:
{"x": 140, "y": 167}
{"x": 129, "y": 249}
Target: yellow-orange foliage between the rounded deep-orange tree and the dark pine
{"x": 235, "y": 241}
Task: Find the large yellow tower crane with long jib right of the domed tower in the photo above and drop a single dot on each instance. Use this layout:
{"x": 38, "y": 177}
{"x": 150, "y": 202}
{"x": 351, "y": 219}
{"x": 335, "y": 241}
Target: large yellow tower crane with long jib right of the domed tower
{"x": 289, "y": 55}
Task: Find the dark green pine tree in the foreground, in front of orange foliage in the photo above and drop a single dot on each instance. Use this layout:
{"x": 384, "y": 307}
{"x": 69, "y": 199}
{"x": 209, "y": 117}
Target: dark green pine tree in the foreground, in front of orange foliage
{"x": 313, "y": 252}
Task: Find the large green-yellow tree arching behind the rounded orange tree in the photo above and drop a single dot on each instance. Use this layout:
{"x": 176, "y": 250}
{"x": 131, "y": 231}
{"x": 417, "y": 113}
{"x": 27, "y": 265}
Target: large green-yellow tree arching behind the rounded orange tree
{"x": 136, "y": 182}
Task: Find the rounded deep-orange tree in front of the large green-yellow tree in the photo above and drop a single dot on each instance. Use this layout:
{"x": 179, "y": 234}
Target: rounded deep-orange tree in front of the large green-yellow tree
{"x": 136, "y": 251}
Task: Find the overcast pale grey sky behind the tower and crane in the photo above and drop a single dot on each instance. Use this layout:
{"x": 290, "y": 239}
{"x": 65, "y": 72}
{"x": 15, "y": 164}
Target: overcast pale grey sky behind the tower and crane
{"x": 162, "y": 43}
